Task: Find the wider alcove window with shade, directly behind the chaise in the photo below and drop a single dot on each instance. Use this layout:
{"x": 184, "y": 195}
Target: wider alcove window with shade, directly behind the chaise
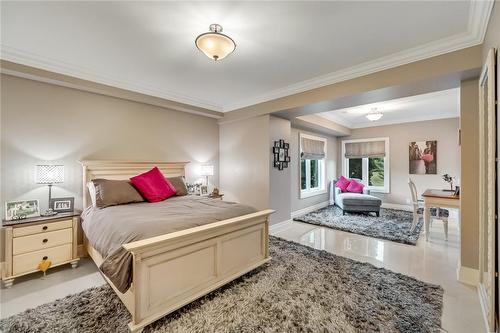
{"x": 367, "y": 160}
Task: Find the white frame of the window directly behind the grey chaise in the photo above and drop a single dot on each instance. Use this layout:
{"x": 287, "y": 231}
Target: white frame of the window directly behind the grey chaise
{"x": 387, "y": 163}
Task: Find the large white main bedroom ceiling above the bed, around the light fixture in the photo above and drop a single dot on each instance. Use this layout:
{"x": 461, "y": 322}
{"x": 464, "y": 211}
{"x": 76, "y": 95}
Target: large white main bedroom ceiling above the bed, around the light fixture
{"x": 282, "y": 47}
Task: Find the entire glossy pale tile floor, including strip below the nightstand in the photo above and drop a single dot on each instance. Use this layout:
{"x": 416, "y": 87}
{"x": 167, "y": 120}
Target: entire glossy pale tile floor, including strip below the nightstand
{"x": 434, "y": 261}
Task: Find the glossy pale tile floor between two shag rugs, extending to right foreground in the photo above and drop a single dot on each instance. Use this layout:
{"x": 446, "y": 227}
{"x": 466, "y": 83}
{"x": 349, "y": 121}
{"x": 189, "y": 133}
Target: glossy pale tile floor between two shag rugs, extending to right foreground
{"x": 435, "y": 261}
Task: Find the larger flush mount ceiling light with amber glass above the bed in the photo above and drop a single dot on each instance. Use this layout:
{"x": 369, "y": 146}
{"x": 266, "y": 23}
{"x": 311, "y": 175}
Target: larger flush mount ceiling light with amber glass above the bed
{"x": 214, "y": 44}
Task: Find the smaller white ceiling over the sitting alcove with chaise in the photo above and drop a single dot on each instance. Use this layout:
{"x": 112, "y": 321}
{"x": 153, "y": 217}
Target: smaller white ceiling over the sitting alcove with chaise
{"x": 436, "y": 105}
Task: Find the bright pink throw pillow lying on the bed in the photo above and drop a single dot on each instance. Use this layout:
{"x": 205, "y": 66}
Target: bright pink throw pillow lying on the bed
{"x": 153, "y": 186}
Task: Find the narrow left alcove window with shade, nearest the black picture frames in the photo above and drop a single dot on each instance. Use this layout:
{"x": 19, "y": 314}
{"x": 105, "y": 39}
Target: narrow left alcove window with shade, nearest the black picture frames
{"x": 312, "y": 165}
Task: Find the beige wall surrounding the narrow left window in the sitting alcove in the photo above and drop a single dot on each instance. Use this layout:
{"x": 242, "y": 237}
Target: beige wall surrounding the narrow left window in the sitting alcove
{"x": 331, "y": 169}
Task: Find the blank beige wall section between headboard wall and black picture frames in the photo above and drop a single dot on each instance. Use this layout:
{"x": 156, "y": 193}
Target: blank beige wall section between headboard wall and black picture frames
{"x": 244, "y": 161}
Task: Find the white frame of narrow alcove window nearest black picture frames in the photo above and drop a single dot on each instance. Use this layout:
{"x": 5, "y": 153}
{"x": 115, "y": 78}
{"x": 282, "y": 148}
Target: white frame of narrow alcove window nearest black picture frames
{"x": 310, "y": 192}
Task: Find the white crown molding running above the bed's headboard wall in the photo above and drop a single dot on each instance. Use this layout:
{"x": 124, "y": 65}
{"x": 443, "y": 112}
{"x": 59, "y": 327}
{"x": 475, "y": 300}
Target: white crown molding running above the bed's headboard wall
{"x": 22, "y": 57}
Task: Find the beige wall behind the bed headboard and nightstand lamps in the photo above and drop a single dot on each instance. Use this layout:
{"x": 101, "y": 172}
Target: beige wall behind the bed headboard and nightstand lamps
{"x": 47, "y": 123}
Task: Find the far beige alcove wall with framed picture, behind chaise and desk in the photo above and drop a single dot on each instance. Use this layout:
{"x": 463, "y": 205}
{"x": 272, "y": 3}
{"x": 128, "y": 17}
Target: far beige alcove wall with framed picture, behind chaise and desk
{"x": 445, "y": 131}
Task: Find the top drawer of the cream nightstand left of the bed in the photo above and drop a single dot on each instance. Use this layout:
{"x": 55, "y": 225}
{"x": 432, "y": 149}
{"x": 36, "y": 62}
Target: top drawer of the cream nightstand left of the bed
{"x": 41, "y": 241}
